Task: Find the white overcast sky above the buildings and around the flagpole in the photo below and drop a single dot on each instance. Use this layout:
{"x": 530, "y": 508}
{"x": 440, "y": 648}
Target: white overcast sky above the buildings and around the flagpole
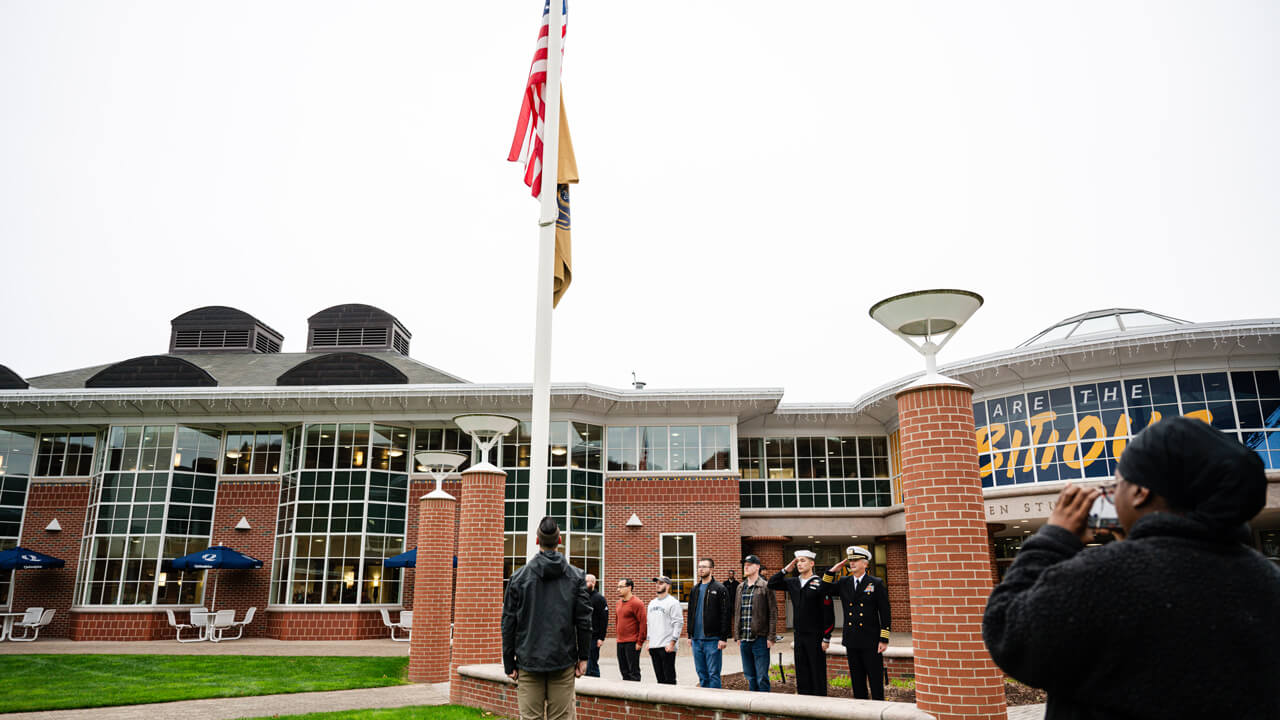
{"x": 755, "y": 176}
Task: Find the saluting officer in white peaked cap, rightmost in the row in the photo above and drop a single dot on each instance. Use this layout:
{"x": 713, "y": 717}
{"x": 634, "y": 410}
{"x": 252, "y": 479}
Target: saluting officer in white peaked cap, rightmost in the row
{"x": 866, "y": 601}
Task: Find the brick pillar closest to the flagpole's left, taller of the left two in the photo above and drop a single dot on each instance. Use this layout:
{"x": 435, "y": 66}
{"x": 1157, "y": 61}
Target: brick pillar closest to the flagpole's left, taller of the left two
{"x": 478, "y": 616}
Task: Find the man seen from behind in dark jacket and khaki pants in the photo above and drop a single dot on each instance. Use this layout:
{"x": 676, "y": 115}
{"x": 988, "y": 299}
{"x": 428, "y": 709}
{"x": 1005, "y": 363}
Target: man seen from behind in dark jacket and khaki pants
{"x": 546, "y": 630}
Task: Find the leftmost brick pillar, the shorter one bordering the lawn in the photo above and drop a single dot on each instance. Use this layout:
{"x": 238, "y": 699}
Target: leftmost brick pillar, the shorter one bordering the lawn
{"x": 433, "y": 590}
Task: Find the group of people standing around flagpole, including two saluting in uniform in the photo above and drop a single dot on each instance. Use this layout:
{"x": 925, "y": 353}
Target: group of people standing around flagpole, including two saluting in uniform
{"x": 556, "y": 622}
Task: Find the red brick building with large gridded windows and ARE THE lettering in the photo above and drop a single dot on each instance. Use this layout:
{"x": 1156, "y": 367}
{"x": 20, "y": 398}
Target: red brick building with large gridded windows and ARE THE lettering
{"x": 305, "y": 461}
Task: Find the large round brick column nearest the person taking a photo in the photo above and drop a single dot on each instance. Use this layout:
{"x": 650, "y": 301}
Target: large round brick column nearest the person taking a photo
{"x": 949, "y": 559}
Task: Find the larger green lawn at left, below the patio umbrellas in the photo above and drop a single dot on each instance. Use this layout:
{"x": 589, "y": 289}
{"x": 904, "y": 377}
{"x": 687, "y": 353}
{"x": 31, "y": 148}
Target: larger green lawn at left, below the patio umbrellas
{"x": 58, "y": 682}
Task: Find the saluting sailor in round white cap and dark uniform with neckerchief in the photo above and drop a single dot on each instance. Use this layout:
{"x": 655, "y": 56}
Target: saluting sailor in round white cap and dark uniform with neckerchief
{"x": 813, "y": 618}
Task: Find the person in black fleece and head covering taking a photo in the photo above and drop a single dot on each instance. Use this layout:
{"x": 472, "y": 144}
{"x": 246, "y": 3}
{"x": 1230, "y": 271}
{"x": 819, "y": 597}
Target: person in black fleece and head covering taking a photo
{"x": 1177, "y": 621}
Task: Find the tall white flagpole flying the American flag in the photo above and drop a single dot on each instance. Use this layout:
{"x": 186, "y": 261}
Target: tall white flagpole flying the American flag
{"x": 547, "y": 217}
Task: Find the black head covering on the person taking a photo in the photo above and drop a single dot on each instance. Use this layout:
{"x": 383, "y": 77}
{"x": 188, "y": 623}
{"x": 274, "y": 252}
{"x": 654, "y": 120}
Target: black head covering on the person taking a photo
{"x": 1197, "y": 470}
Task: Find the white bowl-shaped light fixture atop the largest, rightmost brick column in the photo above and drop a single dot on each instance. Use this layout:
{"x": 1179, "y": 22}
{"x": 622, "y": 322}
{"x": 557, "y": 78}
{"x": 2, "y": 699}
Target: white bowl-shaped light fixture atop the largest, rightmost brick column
{"x": 931, "y": 316}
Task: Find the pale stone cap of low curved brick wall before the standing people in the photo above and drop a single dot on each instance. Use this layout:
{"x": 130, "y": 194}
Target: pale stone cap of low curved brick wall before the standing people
{"x": 733, "y": 701}
